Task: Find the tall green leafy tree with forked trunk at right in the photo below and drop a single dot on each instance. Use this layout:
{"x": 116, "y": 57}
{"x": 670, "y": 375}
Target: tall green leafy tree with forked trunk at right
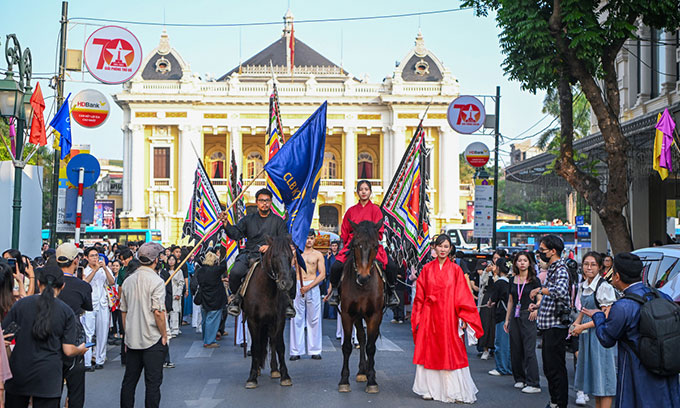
{"x": 559, "y": 43}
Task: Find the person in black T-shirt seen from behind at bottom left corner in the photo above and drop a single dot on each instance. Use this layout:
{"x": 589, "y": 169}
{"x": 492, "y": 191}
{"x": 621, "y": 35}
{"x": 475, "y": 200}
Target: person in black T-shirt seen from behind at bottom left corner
{"x": 47, "y": 328}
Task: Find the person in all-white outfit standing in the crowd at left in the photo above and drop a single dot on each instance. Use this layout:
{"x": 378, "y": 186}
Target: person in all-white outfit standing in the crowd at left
{"x": 96, "y": 322}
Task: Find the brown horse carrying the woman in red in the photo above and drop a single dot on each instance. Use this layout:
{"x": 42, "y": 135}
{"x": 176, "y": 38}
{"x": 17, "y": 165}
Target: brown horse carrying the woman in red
{"x": 361, "y": 299}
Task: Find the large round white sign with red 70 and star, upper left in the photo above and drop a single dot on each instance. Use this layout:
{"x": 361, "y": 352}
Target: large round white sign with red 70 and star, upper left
{"x": 113, "y": 55}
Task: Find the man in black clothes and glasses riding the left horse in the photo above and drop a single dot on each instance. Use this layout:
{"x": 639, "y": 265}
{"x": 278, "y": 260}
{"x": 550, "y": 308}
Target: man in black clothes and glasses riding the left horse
{"x": 255, "y": 227}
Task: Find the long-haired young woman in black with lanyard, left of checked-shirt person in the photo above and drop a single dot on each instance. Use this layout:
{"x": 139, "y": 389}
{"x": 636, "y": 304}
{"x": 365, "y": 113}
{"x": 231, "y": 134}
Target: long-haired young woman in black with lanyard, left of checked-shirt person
{"x": 520, "y": 323}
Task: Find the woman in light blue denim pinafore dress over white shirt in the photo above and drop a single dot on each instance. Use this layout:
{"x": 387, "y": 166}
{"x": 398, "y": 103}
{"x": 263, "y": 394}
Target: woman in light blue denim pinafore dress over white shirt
{"x": 596, "y": 365}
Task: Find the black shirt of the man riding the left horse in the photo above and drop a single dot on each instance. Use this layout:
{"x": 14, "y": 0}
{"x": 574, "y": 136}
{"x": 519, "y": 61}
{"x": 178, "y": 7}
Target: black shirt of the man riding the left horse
{"x": 256, "y": 229}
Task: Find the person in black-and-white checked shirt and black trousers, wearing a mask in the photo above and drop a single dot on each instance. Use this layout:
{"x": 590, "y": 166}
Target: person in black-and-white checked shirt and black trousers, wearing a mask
{"x": 553, "y": 319}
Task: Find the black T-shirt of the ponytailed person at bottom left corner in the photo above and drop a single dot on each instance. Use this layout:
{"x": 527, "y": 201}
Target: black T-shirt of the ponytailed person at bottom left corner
{"x": 37, "y": 365}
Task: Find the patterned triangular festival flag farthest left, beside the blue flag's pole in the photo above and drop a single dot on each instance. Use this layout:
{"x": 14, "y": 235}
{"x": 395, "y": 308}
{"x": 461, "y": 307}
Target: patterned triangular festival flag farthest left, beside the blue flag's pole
{"x": 201, "y": 220}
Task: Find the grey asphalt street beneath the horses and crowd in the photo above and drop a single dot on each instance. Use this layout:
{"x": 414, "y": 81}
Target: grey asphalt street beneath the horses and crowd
{"x": 207, "y": 378}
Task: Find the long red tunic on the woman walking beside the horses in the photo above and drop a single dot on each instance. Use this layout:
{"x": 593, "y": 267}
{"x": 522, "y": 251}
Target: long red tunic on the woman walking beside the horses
{"x": 442, "y": 297}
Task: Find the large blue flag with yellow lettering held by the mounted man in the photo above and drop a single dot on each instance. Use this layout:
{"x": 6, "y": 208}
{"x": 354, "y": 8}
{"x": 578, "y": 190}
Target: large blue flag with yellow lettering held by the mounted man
{"x": 296, "y": 172}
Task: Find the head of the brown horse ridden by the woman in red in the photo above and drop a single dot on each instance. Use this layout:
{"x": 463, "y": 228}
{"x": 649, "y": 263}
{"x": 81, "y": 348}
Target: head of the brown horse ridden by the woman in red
{"x": 365, "y": 243}
